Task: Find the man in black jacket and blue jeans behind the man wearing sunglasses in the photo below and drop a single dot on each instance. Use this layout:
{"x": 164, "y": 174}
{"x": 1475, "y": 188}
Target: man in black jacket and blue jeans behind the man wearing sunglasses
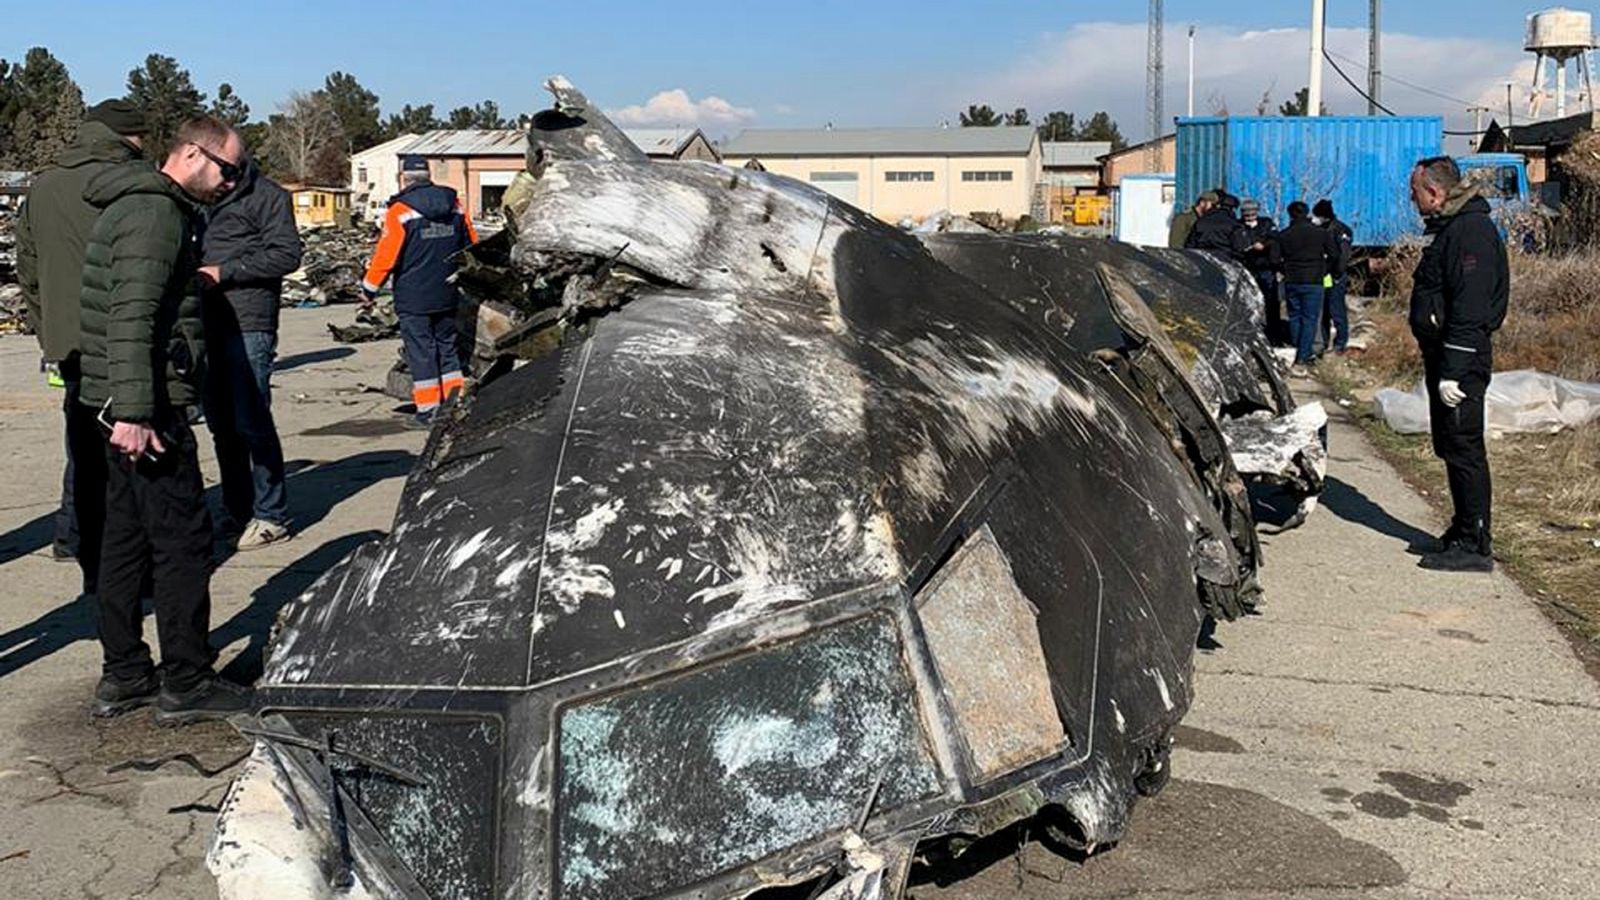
{"x": 250, "y": 244}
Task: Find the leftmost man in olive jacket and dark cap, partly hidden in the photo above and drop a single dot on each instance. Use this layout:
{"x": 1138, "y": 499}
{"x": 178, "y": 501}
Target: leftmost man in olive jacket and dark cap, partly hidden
{"x": 50, "y": 236}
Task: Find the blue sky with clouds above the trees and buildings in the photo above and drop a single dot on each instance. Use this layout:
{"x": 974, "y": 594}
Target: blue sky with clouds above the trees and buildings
{"x": 738, "y": 65}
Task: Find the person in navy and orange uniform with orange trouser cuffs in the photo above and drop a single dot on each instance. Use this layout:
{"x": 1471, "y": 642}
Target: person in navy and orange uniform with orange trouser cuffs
{"x": 423, "y": 231}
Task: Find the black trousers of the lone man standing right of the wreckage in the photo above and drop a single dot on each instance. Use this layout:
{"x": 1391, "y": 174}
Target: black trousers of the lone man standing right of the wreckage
{"x": 1458, "y": 441}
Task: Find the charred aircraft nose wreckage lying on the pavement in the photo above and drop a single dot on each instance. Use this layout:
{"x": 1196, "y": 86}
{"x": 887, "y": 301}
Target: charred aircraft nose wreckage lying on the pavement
{"x": 796, "y": 548}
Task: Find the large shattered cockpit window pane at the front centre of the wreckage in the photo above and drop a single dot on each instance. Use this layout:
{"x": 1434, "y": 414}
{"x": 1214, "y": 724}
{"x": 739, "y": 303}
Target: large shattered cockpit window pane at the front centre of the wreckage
{"x": 689, "y": 777}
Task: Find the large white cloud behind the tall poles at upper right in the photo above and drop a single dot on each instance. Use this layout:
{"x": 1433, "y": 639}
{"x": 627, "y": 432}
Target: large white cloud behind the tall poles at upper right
{"x": 1102, "y": 66}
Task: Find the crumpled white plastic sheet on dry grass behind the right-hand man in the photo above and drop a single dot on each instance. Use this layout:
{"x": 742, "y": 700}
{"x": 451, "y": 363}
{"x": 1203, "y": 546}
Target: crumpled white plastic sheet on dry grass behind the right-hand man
{"x": 1518, "y": 401}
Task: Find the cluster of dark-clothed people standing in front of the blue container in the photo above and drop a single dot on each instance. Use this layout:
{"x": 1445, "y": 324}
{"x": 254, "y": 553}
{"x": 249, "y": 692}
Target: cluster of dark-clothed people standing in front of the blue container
{"x": 1310, "y": 260}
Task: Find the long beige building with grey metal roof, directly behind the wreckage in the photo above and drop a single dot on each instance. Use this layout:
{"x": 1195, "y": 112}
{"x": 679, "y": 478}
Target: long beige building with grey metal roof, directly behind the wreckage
{"x": 905, "y": 172}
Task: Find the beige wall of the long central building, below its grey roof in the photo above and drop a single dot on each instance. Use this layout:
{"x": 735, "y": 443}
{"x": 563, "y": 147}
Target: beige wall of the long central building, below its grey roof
{"x": 894, "y": 201}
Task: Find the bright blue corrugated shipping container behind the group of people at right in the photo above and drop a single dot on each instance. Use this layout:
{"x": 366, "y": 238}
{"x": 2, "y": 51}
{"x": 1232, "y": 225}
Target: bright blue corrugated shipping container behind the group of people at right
{"x": 1361, "y": 163}
